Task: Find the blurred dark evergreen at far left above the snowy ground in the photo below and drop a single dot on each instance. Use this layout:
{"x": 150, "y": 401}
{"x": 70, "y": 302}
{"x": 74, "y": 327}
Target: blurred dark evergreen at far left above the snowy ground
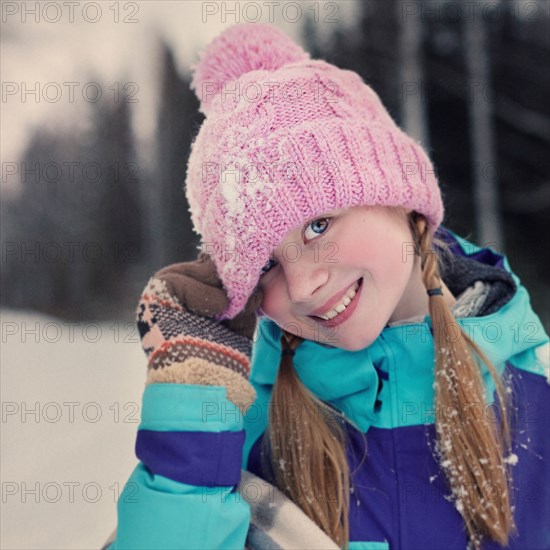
{"x": 75, "y": 226}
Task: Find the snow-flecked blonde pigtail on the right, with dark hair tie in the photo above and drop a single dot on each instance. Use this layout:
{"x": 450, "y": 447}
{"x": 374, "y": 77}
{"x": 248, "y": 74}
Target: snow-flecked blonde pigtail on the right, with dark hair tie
{"x": 472, "y": 453}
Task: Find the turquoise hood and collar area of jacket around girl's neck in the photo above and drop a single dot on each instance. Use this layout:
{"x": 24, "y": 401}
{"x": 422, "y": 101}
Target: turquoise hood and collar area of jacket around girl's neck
{"x": 390, "y": 383}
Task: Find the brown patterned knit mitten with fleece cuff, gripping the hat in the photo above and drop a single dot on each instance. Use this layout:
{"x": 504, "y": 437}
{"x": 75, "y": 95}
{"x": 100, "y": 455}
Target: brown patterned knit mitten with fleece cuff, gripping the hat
{"x": 183, "y": 341}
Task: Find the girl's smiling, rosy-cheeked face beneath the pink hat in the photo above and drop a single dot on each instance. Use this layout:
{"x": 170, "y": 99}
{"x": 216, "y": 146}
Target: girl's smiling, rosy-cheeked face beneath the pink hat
{"x": 318, "y": 265}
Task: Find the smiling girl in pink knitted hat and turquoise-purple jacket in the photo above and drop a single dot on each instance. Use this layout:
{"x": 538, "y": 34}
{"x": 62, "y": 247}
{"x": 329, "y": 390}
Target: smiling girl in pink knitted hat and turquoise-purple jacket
{"x": 336, "y": 369}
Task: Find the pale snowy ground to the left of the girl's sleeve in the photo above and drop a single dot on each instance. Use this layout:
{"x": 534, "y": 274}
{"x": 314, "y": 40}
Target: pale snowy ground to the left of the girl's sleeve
{"x": 70, "y": 409}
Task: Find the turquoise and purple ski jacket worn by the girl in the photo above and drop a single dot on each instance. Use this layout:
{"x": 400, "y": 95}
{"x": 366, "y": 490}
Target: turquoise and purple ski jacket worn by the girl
{"x": 399, "y": 496}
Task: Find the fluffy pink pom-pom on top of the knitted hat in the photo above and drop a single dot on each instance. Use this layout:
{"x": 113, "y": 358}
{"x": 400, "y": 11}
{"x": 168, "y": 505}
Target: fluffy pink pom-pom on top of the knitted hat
{"x": 238, "y": 50}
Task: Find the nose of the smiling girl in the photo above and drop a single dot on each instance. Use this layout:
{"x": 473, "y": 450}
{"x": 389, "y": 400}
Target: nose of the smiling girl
{"x": 304, "y": 279}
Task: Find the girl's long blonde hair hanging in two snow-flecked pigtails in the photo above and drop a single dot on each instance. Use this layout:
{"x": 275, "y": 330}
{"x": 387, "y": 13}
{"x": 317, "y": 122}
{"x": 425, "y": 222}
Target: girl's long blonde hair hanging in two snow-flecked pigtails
{"x": 308, "y": 448}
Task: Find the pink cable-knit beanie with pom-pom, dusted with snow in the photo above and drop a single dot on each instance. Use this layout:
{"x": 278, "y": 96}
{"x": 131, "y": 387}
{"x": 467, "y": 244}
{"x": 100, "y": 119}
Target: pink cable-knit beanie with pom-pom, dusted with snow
{"x": 287, "y": 138}
